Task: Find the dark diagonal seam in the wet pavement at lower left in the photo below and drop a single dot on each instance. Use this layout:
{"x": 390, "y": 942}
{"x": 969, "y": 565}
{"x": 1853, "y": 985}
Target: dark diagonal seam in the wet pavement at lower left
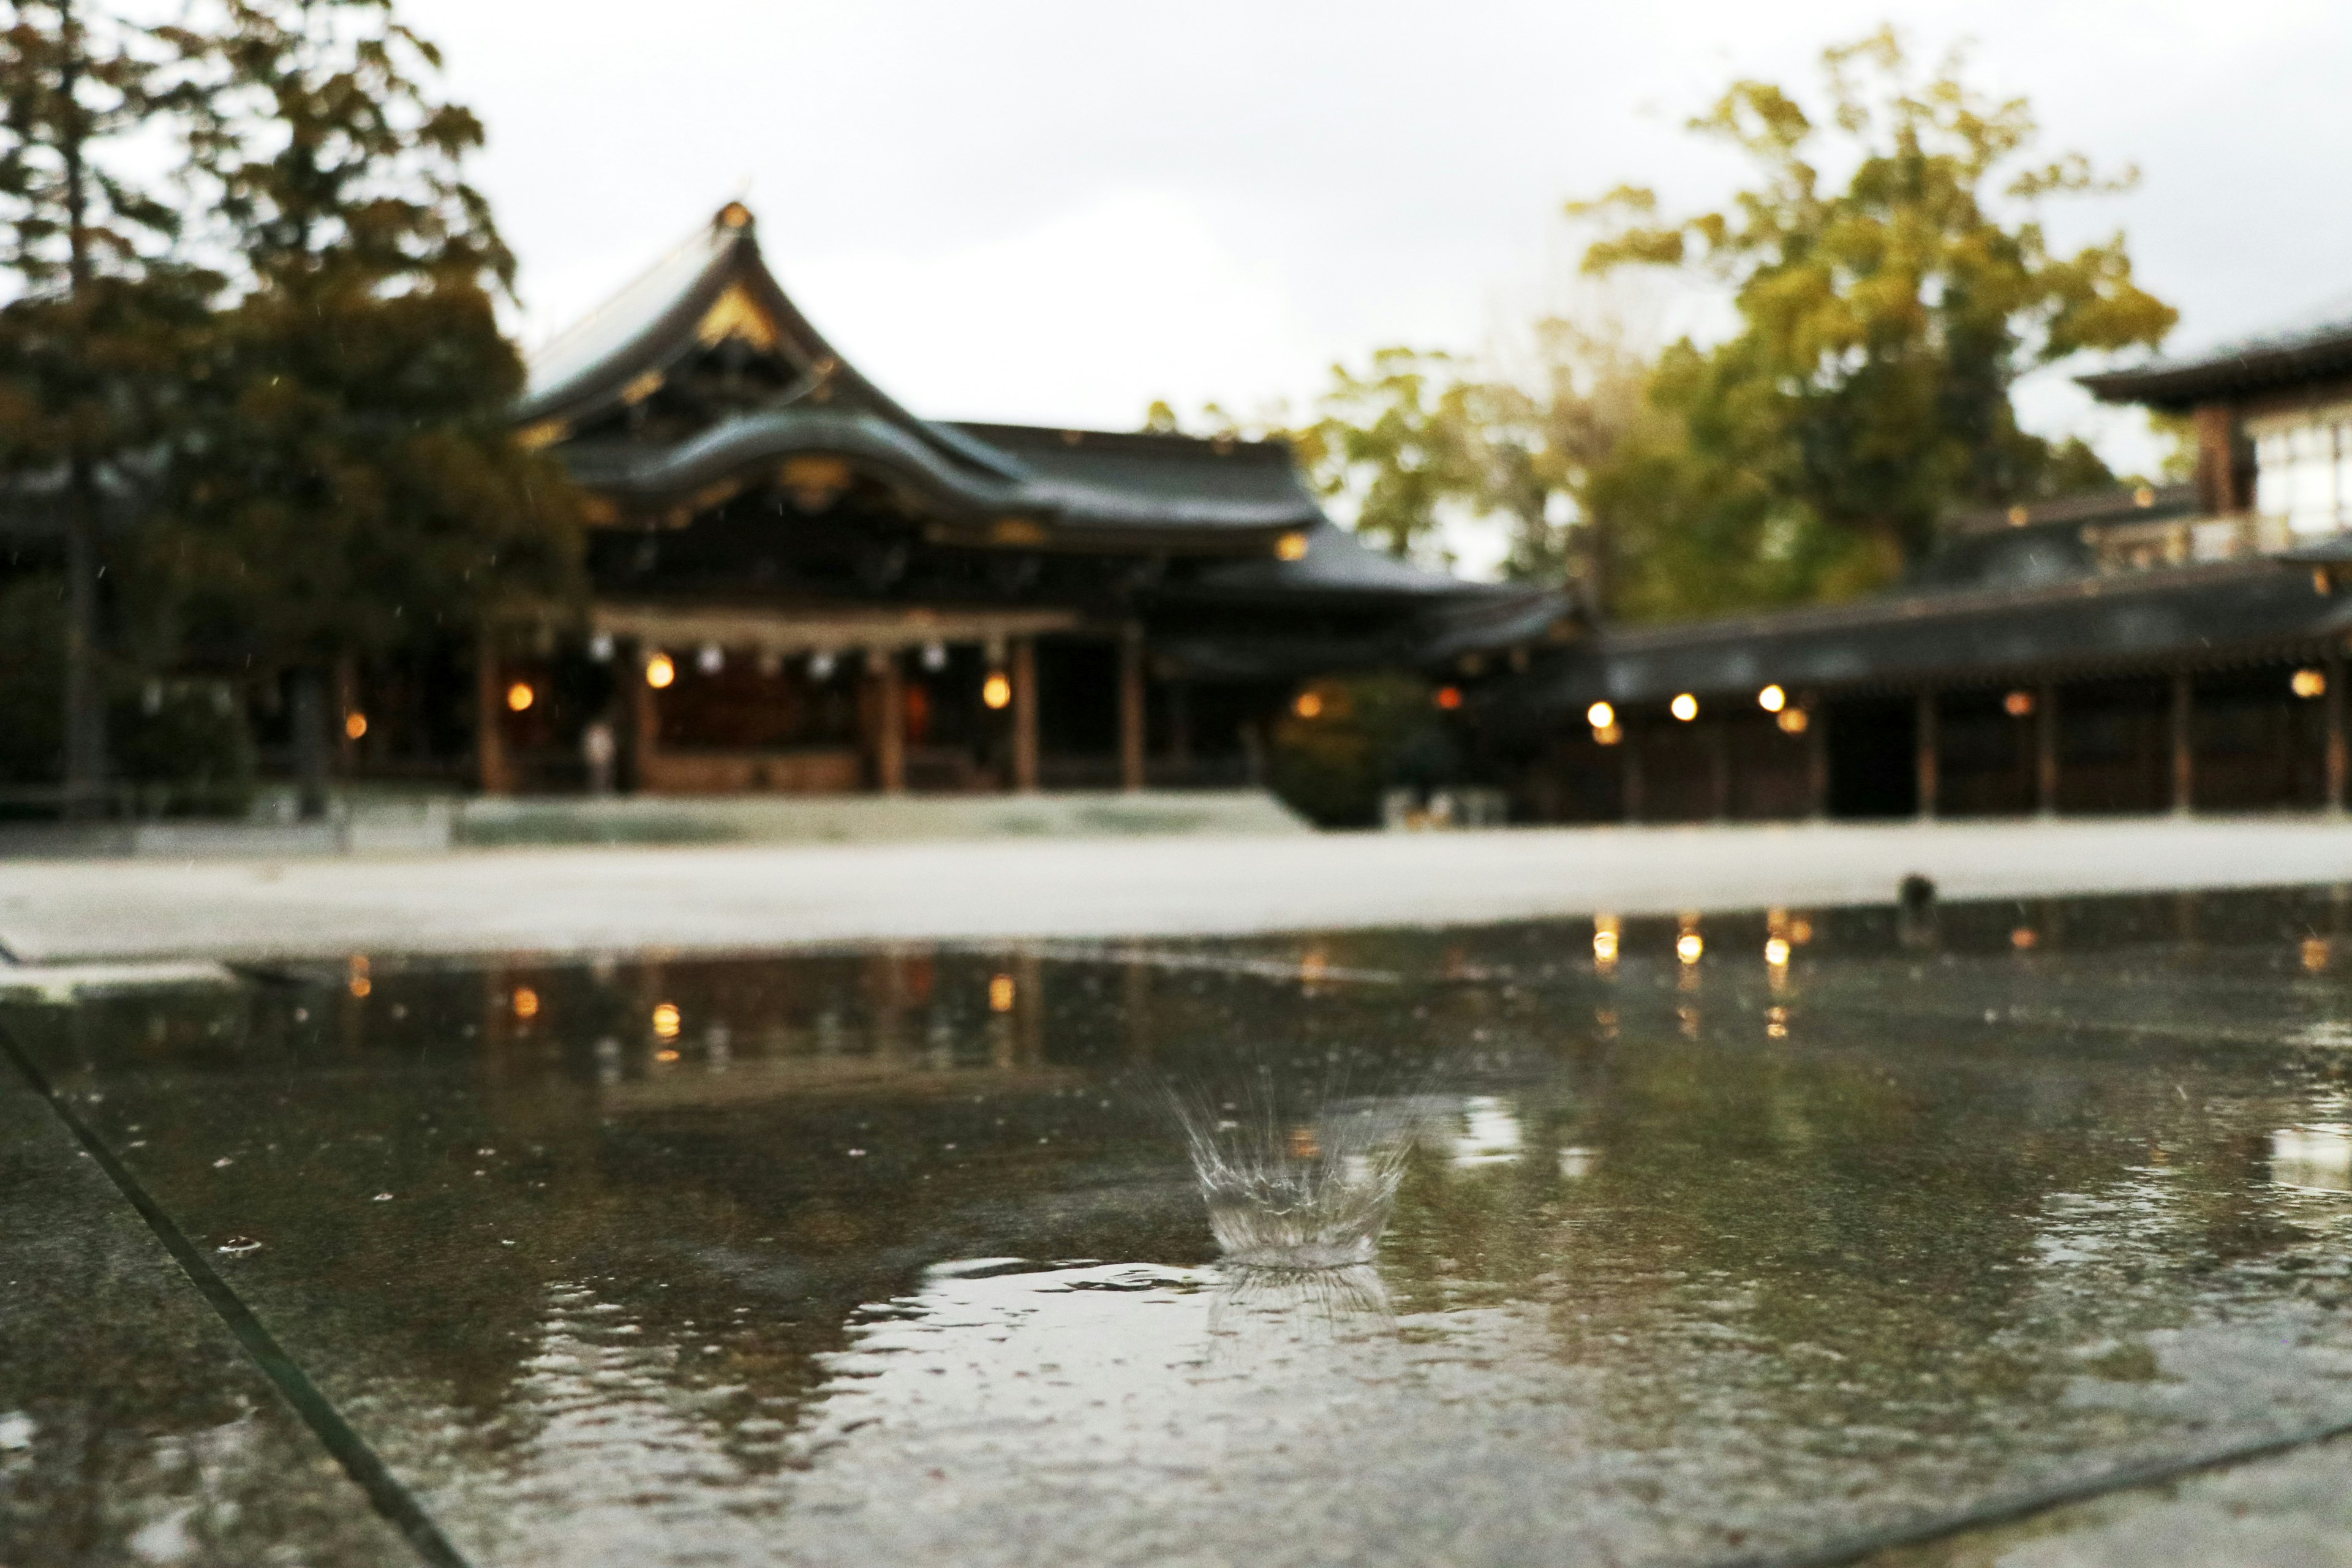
{"x": 293, "y": 1383}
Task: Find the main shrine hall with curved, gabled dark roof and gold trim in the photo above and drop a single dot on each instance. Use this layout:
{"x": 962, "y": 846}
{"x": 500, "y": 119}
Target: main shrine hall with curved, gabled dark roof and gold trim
{"x": 799, "y": 587}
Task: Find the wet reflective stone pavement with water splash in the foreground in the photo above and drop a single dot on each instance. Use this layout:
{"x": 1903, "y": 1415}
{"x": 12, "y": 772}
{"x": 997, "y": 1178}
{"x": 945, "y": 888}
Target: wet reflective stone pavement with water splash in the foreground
{"x": 1760, "y": 1238}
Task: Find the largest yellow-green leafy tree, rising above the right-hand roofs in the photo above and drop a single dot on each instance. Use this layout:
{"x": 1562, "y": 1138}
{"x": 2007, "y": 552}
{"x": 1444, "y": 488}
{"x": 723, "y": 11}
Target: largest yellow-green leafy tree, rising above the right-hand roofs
{"x": 1883, "y": 323}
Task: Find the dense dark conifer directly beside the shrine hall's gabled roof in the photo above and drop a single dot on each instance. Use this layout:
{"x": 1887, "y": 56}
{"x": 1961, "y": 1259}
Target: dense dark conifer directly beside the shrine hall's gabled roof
{"x": 356, "y": 485}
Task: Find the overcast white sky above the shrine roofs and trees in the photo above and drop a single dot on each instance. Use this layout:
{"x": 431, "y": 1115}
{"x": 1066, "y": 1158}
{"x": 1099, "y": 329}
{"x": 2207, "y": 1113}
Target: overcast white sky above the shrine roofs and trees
{"x": 1057, "y": 210}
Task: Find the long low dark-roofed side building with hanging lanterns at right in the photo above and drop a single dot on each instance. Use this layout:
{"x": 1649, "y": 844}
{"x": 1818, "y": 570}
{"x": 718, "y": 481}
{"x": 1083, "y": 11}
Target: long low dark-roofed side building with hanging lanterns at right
{"x": 2153, "y": 650}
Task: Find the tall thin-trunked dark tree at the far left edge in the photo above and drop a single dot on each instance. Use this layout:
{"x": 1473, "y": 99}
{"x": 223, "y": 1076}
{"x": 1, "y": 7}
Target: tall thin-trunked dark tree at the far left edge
{"x": 102, "y": 311}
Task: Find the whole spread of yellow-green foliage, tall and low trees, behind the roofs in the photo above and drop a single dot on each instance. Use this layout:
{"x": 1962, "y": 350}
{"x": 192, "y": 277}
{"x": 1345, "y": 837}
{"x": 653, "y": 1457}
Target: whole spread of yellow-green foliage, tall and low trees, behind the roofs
{"x": 1890, "y": 279}
